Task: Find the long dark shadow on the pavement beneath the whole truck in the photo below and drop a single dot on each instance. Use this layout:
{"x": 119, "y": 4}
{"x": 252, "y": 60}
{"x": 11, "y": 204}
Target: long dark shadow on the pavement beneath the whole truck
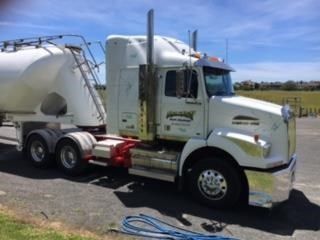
{"x": 296, "y": 214}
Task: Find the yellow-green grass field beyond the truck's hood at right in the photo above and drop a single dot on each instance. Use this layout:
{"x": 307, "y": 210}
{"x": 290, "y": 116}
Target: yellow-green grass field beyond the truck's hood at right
{"x": 310, "y": 100}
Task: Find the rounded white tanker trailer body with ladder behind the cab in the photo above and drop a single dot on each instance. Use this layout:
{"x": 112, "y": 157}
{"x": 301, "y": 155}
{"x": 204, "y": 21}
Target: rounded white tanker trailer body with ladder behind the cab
{"x": 46, "y": 81}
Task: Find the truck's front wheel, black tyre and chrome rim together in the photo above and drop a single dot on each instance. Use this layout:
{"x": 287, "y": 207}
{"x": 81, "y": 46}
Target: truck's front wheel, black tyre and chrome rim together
{"x": 215, "y": 183}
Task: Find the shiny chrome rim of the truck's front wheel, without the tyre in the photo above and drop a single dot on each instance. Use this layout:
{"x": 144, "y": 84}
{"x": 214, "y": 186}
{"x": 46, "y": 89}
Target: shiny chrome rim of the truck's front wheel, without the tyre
{"x": 212, "y": 184}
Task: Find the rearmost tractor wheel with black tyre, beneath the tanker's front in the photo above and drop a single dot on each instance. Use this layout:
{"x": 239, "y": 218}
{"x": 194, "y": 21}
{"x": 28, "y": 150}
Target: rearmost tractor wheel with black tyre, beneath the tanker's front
{"x": 38, "y": 152}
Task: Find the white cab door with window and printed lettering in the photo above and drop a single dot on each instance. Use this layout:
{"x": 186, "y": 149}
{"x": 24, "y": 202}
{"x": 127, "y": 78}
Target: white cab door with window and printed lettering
{"x": 182, "y": 117}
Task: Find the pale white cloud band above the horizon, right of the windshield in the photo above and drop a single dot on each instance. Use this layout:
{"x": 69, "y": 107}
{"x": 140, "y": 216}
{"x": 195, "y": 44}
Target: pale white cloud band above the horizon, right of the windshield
{"x": 277, "y": 71}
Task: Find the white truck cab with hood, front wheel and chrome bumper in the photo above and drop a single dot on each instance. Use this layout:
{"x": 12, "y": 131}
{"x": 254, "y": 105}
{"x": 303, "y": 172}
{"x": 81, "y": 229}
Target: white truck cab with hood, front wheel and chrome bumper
{"x": 223, "y": 145}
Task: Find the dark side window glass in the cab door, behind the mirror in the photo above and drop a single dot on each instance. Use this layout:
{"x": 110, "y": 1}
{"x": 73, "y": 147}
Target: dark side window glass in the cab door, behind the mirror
{"x": 170, "y": 87}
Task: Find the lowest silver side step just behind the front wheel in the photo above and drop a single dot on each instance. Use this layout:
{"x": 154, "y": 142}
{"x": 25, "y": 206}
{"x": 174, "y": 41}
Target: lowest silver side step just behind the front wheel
{"x": 153, "y": 173}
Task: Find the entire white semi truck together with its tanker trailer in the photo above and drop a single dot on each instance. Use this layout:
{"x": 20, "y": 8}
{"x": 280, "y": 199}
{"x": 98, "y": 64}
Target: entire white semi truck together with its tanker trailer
{"x": 171, "y": 115}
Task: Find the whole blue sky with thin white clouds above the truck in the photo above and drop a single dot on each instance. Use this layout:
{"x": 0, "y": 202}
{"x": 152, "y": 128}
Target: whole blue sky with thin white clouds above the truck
{"x": 269, "y": 40}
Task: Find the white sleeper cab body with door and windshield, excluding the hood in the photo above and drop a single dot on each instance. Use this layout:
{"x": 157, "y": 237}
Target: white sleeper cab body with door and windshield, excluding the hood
{"x": 179, "y": 113}
